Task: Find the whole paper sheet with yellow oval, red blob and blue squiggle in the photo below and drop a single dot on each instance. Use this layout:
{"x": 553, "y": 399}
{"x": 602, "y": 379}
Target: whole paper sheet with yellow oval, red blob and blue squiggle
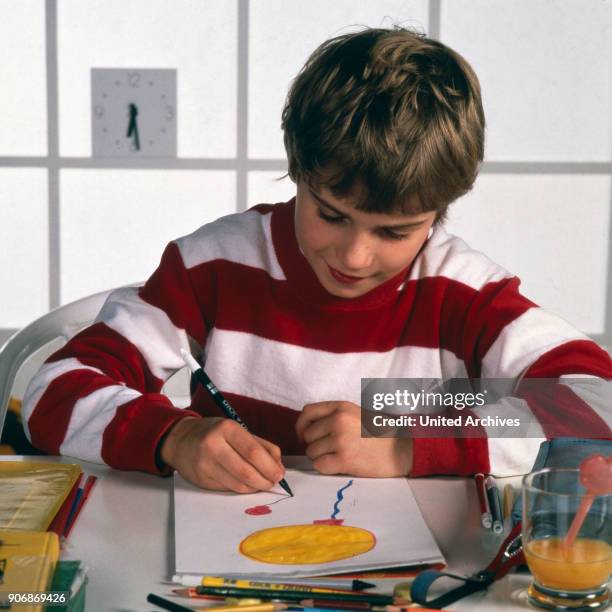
{"x": 334, "y": 524}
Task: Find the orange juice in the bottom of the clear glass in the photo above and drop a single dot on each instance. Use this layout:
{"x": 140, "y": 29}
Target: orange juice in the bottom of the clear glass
{"x": 586, "y": 564}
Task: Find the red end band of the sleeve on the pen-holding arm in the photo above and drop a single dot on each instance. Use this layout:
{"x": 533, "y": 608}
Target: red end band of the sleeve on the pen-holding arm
{"x": 131, "y": 439}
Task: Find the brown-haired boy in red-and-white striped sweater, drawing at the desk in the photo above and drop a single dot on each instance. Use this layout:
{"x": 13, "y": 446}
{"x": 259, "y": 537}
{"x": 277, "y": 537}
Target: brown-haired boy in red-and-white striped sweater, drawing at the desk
{"x": 289, "y": 306}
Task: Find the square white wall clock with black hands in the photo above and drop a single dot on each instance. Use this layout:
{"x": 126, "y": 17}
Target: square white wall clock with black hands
{"x": 133, "y": 112}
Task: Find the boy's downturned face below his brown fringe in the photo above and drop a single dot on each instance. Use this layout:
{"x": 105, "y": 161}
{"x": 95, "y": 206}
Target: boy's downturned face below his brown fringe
{"x": 351, "y": 251}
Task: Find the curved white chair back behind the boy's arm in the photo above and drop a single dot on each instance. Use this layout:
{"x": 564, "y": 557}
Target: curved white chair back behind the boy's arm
{"x": 61, "y": 323}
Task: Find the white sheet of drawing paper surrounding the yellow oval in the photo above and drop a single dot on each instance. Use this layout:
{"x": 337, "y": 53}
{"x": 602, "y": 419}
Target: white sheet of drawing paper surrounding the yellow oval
{"x": 209, "y": 525}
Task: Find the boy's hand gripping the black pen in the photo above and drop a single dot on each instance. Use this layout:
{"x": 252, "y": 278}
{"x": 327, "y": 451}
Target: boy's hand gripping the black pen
{"x": 216, "y": 453}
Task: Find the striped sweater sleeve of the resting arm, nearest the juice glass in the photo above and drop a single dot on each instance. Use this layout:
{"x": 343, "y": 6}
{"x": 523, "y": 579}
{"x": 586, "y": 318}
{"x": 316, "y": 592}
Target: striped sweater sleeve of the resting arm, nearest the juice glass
{"x": 508, "y": 338}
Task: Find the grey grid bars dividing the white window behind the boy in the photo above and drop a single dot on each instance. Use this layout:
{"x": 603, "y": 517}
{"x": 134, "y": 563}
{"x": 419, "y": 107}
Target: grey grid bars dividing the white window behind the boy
{"x": 241, "y": 164}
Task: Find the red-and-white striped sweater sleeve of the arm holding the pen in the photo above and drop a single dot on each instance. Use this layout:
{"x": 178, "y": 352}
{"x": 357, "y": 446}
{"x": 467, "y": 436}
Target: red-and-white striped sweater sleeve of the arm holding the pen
{"x": 98, "y": 398}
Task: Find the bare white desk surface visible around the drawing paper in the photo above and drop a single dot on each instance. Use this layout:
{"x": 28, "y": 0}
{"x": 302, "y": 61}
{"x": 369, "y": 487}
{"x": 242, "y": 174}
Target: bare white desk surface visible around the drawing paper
{"x": 124, "y": 536}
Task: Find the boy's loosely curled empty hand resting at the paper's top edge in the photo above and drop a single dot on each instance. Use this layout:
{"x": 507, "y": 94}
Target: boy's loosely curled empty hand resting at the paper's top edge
{"x": 332, "y": 434}
